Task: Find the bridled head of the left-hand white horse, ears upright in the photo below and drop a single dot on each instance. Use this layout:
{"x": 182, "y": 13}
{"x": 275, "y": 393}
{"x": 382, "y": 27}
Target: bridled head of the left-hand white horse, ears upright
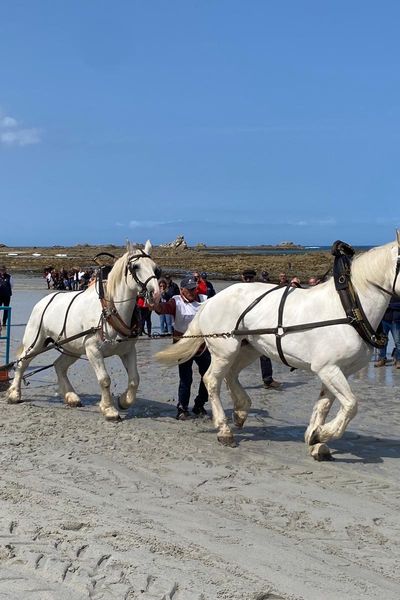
{"x": 141, "y": 272}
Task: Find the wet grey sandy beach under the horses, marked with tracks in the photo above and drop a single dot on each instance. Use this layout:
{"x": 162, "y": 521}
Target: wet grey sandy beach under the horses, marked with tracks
{"x": 155, "y": 509}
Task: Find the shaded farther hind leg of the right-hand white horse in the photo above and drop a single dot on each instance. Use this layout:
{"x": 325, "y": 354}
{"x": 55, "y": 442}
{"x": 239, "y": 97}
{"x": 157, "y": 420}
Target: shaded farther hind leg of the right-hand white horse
{"x": 240, "y": 398}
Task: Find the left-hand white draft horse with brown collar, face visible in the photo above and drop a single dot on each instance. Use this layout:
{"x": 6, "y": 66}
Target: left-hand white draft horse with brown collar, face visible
{"x": 67, "y": 314}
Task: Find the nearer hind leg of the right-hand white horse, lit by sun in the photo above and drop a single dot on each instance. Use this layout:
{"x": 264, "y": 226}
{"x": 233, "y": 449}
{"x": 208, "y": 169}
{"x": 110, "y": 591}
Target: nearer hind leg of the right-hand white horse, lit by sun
{"x": 213, "y": 380}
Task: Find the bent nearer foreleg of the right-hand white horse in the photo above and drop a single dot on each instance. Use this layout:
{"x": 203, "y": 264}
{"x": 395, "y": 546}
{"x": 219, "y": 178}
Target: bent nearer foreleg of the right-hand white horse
{"x": 337, "y": 385}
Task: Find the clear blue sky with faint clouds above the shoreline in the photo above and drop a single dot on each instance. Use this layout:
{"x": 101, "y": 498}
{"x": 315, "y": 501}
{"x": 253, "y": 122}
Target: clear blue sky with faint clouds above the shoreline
{"x": 230, "y": 122}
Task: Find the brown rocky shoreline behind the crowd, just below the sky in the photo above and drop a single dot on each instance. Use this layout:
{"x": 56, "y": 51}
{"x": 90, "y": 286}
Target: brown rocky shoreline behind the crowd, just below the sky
{"x": 228, "y": 263}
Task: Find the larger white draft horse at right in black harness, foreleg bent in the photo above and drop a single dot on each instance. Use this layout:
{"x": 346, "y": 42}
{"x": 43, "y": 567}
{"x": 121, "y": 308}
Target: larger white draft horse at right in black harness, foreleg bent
{"x": 332, "y": 352}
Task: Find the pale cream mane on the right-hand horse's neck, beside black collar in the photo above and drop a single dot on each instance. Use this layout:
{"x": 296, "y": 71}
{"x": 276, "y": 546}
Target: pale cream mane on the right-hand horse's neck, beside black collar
{"x": 370, "y": 265}
